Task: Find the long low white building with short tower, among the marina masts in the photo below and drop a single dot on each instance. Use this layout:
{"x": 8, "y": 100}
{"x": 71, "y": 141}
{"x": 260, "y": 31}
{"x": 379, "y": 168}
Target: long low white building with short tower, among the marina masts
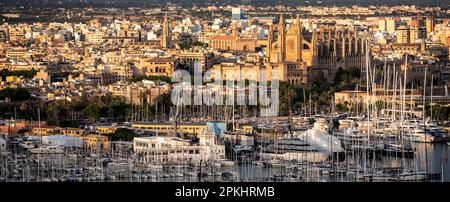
{"x": 176, "y": 150}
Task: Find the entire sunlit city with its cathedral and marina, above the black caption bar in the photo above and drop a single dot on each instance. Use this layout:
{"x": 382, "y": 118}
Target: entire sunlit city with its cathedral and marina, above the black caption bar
{"x": 95, "y": 91}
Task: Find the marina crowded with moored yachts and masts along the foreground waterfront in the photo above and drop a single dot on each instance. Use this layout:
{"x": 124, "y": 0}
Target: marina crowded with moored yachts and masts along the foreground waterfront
{"x": 287, "y": 159}
